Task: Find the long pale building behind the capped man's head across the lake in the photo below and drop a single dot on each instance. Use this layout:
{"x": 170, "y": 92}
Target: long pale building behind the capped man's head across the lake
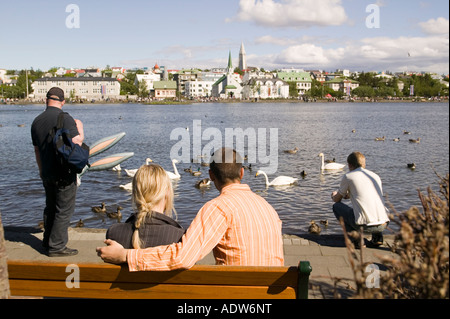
{"x": 89, "y": 88}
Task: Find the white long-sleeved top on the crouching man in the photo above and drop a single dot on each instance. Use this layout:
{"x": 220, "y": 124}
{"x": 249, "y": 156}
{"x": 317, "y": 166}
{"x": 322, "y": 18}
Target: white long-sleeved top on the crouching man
{"x": 366, "y": 194}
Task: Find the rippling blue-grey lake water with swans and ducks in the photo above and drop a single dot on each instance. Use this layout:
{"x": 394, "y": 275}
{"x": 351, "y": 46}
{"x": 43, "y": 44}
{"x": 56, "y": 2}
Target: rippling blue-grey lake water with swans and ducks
{"x": 314, "y": 128}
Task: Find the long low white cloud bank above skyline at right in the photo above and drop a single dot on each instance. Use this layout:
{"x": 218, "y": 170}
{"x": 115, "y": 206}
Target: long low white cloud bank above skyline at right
{"x": 382, "y": 53}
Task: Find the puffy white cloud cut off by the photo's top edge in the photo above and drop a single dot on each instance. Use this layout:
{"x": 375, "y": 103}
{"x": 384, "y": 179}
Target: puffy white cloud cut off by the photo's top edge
{"x": 292, "y": 13}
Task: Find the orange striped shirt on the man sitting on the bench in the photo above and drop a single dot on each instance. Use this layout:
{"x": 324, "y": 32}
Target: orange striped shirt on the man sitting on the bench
{"x": 239, "y": 226}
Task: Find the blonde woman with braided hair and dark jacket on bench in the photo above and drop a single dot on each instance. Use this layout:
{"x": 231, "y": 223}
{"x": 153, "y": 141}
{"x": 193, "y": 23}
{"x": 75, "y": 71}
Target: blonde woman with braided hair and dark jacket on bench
{"x": 151, "y": 225}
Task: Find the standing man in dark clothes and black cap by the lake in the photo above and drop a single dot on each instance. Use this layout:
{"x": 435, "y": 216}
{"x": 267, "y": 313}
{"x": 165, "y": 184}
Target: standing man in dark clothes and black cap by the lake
{"x": 60, "y": 183}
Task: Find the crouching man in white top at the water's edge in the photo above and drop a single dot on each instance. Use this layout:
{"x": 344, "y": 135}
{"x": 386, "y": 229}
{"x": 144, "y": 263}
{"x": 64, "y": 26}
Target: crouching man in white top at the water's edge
{"x": 364, "y": 189}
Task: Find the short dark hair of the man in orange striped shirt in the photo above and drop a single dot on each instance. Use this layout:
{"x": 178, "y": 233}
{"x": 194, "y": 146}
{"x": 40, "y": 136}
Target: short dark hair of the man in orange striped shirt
{"x": 226, "y": 165}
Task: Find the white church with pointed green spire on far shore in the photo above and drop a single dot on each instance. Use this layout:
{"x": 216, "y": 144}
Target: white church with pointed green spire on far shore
{"x": 229, "y": 85}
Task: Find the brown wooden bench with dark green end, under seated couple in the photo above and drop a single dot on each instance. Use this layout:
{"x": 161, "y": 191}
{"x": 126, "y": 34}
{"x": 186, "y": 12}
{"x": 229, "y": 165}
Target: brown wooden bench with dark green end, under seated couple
{"x": 44, "y": 279}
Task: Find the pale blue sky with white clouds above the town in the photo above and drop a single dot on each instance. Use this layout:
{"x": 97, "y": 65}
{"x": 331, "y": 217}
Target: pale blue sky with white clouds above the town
{"x": 359, "y": 35}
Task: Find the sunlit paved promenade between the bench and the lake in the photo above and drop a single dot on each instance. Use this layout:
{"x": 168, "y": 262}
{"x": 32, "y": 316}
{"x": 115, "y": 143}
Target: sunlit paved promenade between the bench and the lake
{"x": 327, "y": 254}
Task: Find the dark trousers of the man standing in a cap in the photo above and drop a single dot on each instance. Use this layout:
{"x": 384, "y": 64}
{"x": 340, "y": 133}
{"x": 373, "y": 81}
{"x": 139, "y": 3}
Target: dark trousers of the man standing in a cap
{"x": 59, "y": 207}
